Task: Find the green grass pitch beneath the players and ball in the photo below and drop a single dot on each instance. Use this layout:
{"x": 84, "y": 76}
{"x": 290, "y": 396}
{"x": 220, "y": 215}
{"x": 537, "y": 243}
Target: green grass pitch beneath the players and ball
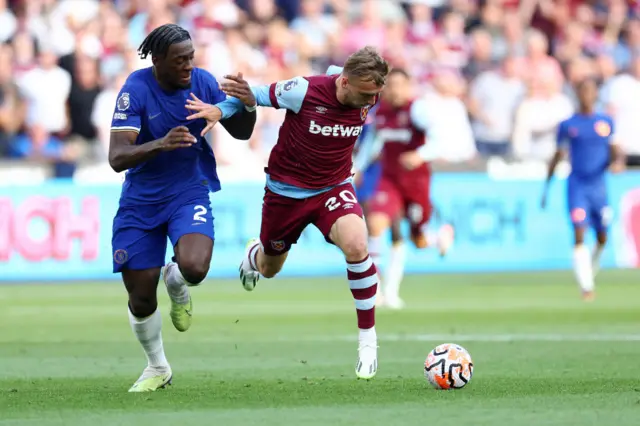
{"x": 285, "y": 353}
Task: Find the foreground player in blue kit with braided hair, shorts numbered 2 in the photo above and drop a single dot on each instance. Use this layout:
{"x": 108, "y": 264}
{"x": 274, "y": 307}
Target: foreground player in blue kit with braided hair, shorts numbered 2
{"x": 170, "y": 171}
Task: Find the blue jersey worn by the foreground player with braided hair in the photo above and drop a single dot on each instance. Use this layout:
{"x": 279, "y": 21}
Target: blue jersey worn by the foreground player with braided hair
{"x": 144, "y": 107}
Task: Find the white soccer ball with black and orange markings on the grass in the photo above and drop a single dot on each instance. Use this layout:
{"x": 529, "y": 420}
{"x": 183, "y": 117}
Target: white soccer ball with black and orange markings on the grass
{"x": 448, "y": 366}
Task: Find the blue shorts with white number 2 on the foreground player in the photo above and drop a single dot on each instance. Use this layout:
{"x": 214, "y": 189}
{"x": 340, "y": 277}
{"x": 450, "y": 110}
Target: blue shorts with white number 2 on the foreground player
{"x": 140, "y": 232}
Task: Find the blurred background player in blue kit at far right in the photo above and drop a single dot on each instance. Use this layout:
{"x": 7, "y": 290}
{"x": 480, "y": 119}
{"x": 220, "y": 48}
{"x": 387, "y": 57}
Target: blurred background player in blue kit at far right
{"x": 588, "y": 139}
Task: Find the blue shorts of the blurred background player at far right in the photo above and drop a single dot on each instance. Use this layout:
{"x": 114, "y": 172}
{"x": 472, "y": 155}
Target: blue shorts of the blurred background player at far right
{"x": 588, "y": 206}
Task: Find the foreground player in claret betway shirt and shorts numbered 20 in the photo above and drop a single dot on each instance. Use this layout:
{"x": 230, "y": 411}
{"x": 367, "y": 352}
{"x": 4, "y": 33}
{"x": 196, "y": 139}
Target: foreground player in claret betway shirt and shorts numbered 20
{"x": 309, "y": 176}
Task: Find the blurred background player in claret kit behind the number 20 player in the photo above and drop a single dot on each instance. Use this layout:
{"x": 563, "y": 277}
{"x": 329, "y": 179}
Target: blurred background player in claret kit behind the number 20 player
{"x": 403, "y": 191}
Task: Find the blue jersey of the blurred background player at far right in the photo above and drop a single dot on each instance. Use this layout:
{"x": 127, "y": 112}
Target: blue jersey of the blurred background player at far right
{"x": 588, "y": 139}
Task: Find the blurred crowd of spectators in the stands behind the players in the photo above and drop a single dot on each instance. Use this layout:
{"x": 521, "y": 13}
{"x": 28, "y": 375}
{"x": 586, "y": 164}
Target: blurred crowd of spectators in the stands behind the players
{"x": 500, "y": 74}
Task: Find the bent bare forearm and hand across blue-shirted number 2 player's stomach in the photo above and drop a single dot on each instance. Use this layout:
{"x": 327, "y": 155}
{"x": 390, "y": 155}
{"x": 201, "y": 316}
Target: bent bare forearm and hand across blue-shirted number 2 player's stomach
{"x": 125, "y": 154}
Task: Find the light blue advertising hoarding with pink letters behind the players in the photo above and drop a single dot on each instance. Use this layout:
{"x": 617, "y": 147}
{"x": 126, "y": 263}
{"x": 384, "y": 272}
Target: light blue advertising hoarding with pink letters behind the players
{"x": 62, "y": 230}
